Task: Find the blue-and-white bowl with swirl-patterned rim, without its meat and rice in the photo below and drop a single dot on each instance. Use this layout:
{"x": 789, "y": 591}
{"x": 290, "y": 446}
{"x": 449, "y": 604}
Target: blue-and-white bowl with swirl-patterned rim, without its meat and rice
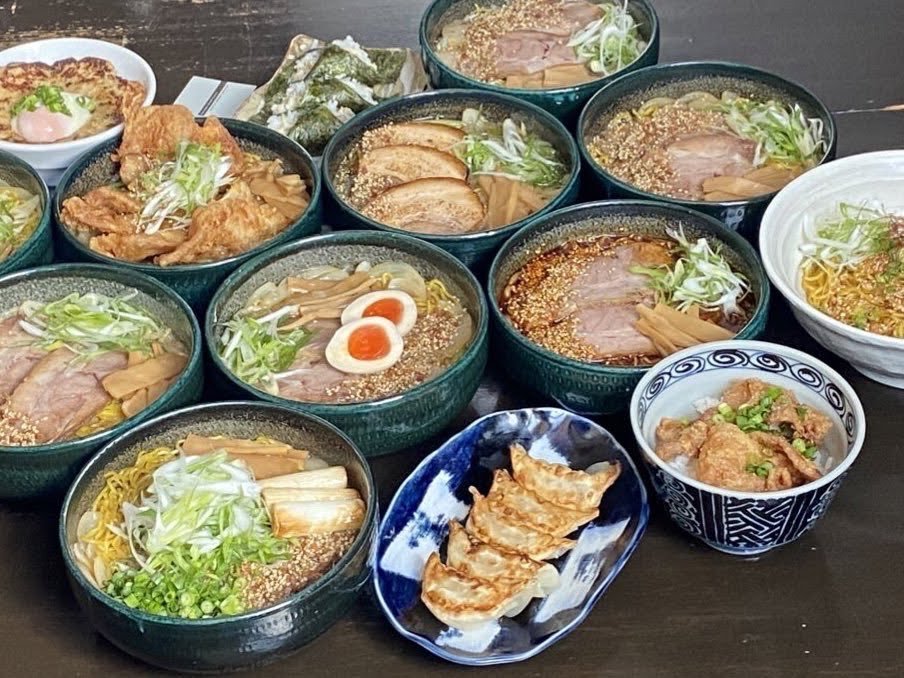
{"x": 731, "y": 524}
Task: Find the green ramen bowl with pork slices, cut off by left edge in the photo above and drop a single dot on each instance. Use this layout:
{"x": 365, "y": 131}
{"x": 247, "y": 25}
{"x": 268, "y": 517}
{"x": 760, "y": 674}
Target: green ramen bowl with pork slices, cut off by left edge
{"x": 87, "y": 353}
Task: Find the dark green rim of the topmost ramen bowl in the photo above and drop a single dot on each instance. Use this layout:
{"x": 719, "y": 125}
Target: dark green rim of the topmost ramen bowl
{"x": 592, "y": 85}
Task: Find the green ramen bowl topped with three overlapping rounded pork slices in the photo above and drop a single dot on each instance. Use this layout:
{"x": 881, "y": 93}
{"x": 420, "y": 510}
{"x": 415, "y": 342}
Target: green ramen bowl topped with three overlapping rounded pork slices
{"x": 460, "y": 169}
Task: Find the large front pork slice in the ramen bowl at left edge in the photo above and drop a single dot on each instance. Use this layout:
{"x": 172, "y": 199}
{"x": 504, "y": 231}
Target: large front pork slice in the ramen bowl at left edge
{"x": 63, "y": 392}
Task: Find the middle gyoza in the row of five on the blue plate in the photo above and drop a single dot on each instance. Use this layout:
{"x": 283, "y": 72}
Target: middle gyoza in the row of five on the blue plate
{"x": 492, "y": 525}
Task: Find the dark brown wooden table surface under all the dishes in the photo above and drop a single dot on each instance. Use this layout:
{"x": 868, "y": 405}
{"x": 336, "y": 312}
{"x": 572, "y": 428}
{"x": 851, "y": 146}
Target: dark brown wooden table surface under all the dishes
{"x": 829, "y": 604}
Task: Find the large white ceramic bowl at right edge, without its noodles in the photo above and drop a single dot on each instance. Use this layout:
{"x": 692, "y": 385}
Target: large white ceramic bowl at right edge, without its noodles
{"x": 869, "y": 178}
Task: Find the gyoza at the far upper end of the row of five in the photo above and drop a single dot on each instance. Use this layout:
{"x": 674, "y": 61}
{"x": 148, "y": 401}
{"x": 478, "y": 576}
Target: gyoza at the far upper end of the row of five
{"x": 556, "y": 483}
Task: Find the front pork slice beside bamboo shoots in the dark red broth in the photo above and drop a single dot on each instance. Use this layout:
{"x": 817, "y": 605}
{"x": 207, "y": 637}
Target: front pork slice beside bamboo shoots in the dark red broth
{"x": 609, "y": 329}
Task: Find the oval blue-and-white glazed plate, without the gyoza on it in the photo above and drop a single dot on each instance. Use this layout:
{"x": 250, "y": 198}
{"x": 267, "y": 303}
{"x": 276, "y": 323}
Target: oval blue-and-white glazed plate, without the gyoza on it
{"x": 416, "y": 524}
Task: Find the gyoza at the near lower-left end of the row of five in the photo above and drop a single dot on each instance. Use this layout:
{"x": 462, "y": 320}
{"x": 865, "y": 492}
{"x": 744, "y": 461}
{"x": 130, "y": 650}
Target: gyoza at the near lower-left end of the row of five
{"x": 463, "y": 601}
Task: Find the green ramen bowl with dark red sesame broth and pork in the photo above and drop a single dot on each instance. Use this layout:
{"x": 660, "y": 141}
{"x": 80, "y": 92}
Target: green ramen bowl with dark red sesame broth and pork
{"x": 588, "y": 298}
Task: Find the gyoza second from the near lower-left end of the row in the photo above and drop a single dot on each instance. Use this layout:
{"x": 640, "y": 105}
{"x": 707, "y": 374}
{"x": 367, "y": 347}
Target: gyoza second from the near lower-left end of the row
{"x": 484, "y": 561}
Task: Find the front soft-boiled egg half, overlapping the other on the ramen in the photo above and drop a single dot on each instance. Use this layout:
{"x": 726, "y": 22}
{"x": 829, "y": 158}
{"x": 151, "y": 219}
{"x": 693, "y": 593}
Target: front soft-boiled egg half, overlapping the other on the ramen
{"x": 365, "y": 346}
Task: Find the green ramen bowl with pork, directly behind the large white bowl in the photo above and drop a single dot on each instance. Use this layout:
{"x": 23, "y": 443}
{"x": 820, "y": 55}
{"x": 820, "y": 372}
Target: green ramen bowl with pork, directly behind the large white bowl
{"x": 719, "y": 138}
